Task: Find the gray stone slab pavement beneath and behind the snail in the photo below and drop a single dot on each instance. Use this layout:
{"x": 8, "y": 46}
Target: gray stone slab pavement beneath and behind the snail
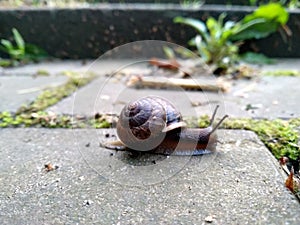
{"x": 239, "y": 184}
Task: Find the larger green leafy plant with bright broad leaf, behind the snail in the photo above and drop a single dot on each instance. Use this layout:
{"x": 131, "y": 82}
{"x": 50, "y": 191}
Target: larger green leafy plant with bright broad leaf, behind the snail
{"x": 217, "y": 41}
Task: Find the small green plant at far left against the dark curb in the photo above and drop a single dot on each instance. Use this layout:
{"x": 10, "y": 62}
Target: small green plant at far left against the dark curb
{"x": 19, "y": 50}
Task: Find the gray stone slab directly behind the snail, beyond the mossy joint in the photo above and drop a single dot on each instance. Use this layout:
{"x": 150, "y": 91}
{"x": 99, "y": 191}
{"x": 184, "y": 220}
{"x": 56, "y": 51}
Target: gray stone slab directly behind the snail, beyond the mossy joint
{"x": 266, "y": 97}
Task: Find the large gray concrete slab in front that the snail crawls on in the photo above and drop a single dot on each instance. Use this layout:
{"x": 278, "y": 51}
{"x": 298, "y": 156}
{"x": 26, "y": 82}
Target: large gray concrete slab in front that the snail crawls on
{"x": 240, "y": 184}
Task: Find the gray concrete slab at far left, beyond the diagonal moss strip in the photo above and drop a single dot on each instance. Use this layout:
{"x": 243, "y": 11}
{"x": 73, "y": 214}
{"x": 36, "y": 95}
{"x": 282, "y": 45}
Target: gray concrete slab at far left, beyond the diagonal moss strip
{"x": 18, "y": 90}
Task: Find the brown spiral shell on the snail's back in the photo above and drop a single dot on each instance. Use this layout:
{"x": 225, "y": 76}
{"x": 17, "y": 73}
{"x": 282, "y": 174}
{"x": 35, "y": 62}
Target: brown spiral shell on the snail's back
{"x": 143, "y": 123}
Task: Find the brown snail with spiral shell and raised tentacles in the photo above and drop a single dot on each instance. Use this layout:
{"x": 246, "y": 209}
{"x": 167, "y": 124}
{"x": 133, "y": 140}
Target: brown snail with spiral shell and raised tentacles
{"x": 153, "y": 124}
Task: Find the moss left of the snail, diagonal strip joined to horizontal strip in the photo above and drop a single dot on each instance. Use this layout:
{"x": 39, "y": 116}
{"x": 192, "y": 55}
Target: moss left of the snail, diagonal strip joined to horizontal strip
{"x": 32, "y": 115}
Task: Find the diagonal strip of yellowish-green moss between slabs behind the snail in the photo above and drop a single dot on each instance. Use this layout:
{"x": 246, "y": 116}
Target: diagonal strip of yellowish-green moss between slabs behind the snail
{"x": 52, "y": 96}
